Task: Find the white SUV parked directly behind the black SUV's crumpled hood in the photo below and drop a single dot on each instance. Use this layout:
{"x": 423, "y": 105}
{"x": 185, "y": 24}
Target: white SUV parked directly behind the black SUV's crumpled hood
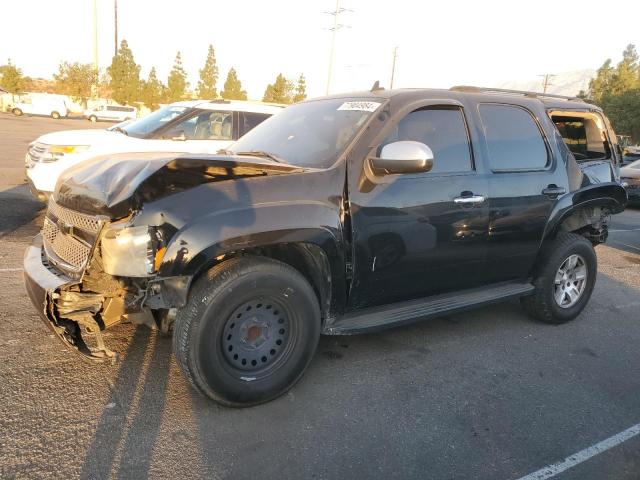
{"x": 194, "y": 127}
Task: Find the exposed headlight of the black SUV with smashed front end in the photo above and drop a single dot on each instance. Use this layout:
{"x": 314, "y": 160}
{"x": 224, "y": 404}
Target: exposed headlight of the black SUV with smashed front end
{"x": 131, "y": 251}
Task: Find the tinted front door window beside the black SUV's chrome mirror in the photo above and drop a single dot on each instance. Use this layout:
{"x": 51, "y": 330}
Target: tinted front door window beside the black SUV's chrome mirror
{"x": 444, "y": 131}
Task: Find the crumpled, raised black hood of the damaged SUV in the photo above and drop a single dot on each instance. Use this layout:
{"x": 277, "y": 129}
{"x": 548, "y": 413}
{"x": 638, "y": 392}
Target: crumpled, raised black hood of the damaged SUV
{"x": 116, "y": 185}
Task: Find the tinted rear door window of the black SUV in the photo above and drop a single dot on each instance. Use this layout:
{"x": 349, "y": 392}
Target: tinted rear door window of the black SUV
{"x": 513, "y": 138}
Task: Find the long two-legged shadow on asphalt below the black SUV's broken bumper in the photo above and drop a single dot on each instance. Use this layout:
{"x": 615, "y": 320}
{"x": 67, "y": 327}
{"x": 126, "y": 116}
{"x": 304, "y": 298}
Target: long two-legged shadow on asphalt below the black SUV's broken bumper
{"x": 129, "y": 426}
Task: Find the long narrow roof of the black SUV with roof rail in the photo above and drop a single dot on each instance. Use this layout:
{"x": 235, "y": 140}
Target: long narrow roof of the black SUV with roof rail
{"x": 550, "y": 101}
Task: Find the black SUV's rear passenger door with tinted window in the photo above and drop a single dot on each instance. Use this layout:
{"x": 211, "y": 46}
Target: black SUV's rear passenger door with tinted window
{"x": 523, "y": 187}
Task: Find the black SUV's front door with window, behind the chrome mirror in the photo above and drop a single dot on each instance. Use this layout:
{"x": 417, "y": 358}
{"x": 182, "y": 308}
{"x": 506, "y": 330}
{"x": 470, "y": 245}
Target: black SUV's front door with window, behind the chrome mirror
{"x": 422, "y": 234}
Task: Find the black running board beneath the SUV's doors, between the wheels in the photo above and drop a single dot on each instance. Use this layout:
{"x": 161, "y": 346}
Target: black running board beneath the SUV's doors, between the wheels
{"x": 388, "y": 316}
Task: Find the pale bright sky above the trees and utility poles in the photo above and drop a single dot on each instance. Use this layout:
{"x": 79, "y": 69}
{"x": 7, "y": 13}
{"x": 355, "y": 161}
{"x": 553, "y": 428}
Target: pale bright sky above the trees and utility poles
{"x": 440, "y": 43}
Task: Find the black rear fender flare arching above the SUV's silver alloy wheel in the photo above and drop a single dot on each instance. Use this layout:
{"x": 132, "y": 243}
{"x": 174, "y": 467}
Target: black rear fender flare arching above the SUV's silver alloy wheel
{"x": 610, "y": 195}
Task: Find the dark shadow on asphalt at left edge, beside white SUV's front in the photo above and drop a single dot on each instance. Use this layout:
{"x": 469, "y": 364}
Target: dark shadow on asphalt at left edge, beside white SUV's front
{"x": 18, "y": 210}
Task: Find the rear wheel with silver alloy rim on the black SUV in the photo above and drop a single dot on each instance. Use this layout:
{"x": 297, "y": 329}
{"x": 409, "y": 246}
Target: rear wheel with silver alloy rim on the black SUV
{"x": 549, "y": 303}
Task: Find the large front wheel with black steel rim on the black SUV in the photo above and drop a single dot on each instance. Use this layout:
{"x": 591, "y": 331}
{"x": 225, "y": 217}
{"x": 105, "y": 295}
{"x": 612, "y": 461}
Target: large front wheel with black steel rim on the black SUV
{"x": 240, "y": 360}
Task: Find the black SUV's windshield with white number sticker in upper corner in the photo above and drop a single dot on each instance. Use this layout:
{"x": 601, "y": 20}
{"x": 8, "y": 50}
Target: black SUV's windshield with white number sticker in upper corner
{"x": 309, "y": 134}
